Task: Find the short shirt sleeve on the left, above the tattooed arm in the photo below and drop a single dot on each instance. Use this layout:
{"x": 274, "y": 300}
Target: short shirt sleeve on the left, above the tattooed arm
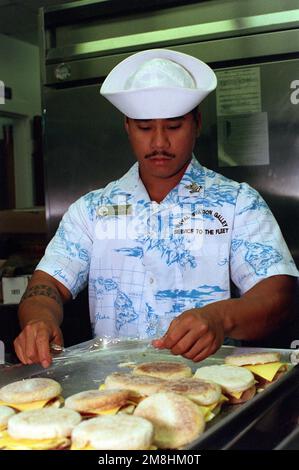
{"x": 67, "y": 257}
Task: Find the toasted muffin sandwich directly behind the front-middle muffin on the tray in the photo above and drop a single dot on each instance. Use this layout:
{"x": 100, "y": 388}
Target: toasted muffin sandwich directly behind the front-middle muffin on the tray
{"x": 91, "y": 403}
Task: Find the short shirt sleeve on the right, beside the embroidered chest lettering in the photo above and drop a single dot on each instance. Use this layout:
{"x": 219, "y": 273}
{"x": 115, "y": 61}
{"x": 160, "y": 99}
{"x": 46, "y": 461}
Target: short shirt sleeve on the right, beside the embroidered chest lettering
{"x": 258, "y": 249}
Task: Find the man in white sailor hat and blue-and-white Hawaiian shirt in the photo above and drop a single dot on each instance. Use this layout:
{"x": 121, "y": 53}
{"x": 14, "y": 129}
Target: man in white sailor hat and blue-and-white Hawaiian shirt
{"x": 160, "y": 247}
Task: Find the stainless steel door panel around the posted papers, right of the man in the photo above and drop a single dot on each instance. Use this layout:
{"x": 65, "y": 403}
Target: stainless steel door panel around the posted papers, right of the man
{"x": 277, "y": 181}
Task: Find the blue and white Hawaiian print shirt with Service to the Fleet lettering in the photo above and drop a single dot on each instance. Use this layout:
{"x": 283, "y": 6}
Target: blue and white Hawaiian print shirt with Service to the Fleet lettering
{"x": 145, "y": 263}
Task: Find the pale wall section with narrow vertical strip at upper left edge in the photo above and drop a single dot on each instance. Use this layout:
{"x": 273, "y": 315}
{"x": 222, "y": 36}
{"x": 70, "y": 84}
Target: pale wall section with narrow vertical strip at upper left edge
{"x": 19, "y": 70}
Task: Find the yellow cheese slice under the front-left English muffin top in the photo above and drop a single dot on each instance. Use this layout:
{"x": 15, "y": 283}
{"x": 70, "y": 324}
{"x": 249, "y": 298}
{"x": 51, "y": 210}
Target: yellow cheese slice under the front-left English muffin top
{"x": 7, "y": 442}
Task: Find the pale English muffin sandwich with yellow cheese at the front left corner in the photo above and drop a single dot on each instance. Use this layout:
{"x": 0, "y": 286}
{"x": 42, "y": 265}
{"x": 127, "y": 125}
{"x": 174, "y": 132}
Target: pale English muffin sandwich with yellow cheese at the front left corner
{"x": 41, "y": 429}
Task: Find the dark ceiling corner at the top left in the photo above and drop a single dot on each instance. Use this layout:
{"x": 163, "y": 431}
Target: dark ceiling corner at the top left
{"x": 18, "y": 18}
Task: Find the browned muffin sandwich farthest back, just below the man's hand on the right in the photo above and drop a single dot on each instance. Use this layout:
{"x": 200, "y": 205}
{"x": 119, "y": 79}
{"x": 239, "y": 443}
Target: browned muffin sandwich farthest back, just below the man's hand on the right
{"x": 163, "y": 370}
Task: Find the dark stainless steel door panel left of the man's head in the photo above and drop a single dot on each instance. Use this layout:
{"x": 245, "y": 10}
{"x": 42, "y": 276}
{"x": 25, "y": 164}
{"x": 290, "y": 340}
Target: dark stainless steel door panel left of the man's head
{"x": 86, "y": 147}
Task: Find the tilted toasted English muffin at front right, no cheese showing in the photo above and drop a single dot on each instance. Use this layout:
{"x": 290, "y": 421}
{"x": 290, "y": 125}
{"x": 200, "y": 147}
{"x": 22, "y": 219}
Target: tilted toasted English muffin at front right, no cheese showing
{"x": 177, "y": 420}
